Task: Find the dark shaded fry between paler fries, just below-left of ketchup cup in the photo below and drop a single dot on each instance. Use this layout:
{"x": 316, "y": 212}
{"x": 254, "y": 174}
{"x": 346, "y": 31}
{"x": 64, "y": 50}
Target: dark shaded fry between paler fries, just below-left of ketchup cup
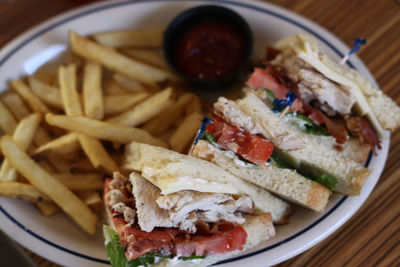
{"x": 162, "y": 122}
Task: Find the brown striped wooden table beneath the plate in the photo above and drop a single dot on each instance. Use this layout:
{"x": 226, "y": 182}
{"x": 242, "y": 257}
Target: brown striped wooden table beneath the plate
{"x": 372, "y": 236}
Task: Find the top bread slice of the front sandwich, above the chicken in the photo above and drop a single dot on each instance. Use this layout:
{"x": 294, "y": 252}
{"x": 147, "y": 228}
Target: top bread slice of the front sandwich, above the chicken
{"x": 174, "y": 168}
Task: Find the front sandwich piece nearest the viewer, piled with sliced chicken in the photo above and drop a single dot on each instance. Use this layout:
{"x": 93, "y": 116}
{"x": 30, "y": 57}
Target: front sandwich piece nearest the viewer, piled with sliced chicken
{"x": 152, "y": 224}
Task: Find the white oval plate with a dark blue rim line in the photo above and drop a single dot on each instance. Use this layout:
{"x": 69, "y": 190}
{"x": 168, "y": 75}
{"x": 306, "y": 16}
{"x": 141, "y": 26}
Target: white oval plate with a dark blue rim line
{"x": 60, "y": 240}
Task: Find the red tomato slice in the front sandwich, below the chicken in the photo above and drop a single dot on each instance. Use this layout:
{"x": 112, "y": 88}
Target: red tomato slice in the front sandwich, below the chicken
{"x": 231, "y": 240}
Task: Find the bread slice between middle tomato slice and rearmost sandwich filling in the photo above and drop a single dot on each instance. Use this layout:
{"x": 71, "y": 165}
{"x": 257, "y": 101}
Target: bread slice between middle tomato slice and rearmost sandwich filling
{"x": 313, "y": 155}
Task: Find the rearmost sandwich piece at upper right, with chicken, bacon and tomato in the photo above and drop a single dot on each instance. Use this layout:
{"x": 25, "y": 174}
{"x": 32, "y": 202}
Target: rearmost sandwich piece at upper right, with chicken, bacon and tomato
{"x": 335, "y": 105}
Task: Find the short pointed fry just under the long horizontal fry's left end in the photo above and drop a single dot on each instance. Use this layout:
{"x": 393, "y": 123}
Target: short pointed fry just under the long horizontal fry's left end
{"x": 63, "y": 145}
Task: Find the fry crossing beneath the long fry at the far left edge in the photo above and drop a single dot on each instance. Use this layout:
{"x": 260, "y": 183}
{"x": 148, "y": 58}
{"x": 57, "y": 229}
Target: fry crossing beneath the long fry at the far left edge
{"x": 23, "y": 136}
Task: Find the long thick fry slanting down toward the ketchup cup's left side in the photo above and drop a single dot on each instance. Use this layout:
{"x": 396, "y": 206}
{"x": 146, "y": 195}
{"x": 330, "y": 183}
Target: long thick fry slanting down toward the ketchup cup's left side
{"x": 116, "y": 61}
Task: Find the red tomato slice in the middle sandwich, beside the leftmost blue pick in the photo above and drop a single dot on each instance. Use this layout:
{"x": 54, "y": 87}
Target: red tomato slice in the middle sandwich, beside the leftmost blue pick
{"x": 249, "y": 146}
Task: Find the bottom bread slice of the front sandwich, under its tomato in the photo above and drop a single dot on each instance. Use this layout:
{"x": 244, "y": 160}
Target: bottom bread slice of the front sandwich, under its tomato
{"x": 258, "y": 228}
